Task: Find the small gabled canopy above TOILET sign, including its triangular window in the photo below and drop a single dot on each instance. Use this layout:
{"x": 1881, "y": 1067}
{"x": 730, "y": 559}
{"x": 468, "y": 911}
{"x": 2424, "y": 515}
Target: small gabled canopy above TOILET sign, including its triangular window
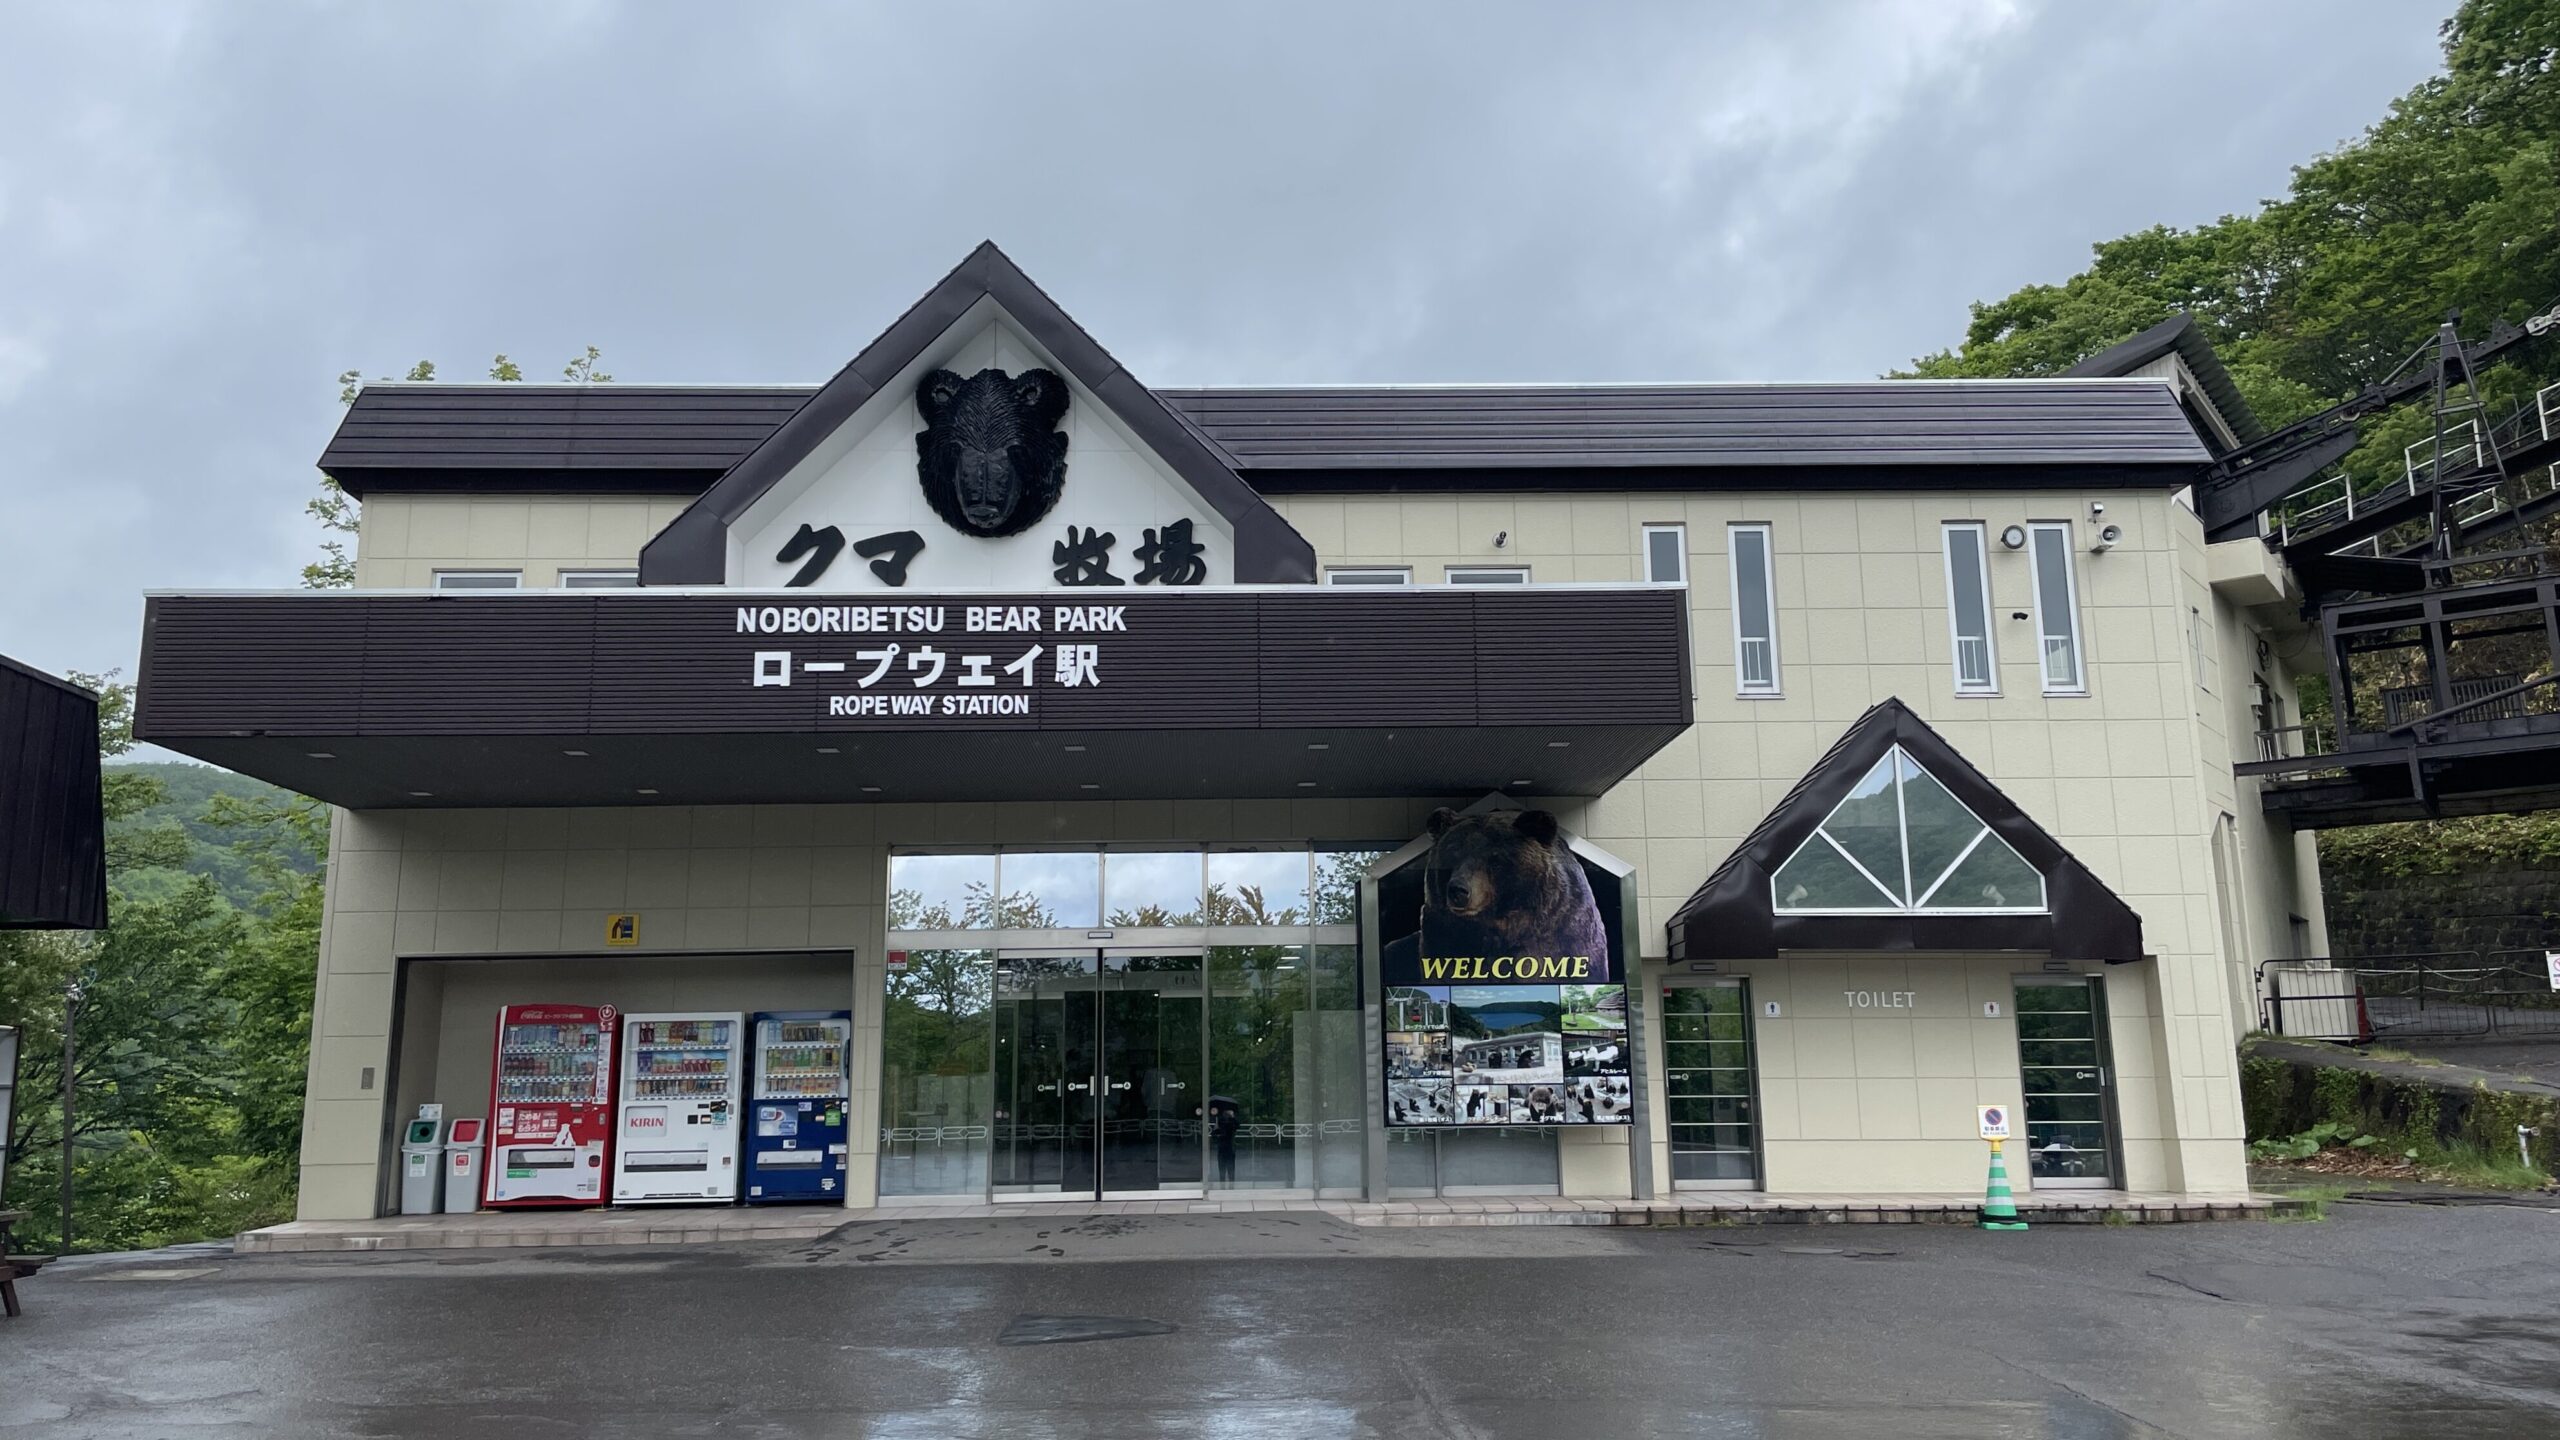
{"x": 1893, "y": 842}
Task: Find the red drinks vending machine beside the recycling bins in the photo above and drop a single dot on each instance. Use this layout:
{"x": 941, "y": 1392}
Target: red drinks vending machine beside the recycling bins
{"x": 552, "y": 1106}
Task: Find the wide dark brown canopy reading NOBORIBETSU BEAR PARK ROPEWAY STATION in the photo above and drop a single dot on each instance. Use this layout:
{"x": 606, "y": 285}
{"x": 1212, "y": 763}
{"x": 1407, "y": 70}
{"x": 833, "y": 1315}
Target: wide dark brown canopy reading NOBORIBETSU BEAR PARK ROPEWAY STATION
{"x": 731, "y": 698}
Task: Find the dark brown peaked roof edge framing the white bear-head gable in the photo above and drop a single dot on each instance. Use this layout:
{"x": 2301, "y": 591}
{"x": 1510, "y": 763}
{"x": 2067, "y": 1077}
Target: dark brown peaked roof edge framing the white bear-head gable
{"x": 698, "y": 547}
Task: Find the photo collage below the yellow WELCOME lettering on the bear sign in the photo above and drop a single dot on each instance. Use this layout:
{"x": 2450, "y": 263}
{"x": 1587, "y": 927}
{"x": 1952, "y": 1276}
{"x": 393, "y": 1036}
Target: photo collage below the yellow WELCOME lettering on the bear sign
{"x": 1507, "y": 1054}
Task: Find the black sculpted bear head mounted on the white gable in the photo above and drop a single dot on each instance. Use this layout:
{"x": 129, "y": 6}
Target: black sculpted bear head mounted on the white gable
{"x": 992, "y": 457}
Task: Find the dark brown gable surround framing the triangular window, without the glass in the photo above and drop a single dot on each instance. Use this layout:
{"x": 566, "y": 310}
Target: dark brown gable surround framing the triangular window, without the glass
{"x": 1734, "y": 919}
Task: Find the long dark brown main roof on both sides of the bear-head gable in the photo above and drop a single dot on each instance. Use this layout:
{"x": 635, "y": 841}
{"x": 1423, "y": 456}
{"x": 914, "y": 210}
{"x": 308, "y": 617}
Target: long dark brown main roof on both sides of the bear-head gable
{"x": 1435, "y": 437}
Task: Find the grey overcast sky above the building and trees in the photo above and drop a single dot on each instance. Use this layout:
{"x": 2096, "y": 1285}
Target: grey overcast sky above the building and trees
{"x": 209, "y": 211}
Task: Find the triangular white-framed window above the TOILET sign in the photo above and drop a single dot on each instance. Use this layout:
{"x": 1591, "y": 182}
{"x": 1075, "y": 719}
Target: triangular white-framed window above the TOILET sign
{"x": 1906, "y": 844}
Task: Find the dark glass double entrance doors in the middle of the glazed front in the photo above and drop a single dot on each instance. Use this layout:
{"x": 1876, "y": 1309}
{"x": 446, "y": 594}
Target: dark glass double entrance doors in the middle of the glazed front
{"x": 1097, "y": 1077}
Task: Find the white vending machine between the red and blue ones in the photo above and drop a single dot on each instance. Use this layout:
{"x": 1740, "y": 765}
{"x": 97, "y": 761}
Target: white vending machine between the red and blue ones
{"x": 682, "y": 1083}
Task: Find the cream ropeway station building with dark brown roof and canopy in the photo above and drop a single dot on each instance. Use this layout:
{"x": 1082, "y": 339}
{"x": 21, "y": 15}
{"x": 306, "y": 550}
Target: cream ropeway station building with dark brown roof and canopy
{"x": 1896, "y": 726}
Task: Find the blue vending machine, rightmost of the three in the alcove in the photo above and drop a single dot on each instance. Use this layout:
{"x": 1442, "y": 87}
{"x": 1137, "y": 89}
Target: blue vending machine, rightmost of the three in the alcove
{"x": 797, "y": 1111}
